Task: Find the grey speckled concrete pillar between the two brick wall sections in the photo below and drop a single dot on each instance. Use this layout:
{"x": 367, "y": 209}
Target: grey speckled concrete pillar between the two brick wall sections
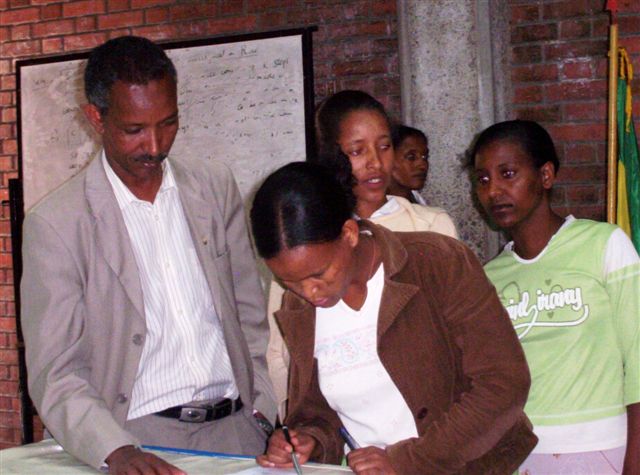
{"x": 452, "y": 55}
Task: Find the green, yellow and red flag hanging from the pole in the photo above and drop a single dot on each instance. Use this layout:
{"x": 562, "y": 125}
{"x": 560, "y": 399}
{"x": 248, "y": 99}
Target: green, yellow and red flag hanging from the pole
{"x": 628, "y": 208}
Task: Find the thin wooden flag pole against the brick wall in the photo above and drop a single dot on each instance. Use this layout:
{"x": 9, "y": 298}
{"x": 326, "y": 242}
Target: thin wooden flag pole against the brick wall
{"x": 612, "y": 142}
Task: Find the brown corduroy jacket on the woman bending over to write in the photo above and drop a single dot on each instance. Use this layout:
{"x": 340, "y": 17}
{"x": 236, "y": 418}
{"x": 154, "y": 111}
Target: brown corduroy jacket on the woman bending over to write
{"x": 449, "y": 347}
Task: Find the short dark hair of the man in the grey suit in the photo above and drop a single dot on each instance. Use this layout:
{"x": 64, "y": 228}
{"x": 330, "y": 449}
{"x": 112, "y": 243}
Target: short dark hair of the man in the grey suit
{"x": 130, "y": 59}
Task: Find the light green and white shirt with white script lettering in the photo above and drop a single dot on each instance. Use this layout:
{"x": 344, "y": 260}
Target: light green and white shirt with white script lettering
{"x": 576, "y": 310}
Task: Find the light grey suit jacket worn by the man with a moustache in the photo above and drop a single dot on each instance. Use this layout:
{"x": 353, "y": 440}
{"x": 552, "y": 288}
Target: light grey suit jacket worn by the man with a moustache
{"x": 82, "y": 308}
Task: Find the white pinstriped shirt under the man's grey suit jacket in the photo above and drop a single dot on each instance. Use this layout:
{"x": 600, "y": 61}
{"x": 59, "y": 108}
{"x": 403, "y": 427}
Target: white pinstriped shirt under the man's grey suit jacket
{"x": 184, "y": 357}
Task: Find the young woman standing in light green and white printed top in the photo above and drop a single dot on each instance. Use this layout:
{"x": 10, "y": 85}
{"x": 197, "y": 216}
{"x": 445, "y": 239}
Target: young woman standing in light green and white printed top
{"x": 572, "y": 290}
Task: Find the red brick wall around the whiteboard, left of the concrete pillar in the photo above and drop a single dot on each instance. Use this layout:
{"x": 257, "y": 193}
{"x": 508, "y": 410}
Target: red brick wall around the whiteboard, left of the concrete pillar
{"x": 355, "y": 47}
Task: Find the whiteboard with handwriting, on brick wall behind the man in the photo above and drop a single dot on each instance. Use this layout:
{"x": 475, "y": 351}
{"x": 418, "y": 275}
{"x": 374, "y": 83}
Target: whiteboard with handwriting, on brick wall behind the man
{"x": 245, "y": 101}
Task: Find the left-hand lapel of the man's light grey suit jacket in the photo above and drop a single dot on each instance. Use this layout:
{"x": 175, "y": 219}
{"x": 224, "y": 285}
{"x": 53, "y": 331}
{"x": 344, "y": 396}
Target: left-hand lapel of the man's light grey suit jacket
{"x": 112, "y": 237}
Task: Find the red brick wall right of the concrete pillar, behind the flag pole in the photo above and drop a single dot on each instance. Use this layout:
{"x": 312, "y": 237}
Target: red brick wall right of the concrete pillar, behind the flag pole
{"x": 559, "y": 77}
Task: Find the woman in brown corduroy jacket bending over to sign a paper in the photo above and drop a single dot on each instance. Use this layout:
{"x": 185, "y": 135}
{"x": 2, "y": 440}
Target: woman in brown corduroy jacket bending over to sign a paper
{"x": 397, "y": 337}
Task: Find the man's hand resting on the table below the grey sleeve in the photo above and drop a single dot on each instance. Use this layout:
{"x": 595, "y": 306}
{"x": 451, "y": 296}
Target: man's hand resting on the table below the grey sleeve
{"x": 129, "y": 460}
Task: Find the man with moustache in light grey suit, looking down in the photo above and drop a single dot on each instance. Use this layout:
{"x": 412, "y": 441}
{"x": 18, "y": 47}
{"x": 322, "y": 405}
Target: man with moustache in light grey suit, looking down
{"x": 143, "y": 315}
